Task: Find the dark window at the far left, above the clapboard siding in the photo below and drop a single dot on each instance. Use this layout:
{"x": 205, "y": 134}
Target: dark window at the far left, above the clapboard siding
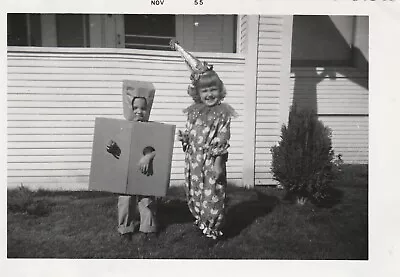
{"x": 23, "y": 29}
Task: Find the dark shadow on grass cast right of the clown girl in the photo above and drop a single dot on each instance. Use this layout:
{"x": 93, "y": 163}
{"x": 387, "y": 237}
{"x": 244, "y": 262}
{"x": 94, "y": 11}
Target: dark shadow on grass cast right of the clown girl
{"x": 243, "y": 214}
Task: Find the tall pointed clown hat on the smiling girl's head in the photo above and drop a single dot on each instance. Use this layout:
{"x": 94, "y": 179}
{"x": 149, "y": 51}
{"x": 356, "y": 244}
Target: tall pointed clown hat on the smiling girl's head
{"x": 196, "y": 67}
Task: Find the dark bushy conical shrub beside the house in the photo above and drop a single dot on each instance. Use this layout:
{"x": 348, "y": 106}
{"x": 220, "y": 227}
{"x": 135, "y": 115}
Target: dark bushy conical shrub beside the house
{"x": 302, "y": 162}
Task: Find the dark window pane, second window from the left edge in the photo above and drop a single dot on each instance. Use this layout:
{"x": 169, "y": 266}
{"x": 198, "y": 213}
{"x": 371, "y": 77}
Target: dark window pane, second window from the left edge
{"x": 70, "y": 30}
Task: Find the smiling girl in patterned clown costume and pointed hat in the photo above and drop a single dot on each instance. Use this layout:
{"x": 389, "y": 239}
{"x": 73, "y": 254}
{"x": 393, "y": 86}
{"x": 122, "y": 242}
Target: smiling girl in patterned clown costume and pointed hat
{"x": 205, "y": 143}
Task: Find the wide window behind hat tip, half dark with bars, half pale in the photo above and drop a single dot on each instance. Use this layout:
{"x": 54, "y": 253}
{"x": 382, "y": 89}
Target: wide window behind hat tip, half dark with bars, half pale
{"x": 200, "y": 33}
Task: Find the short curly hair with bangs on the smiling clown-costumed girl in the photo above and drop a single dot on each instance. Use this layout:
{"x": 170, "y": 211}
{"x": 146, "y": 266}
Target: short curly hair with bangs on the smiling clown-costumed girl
{"x": 207, "y": 79}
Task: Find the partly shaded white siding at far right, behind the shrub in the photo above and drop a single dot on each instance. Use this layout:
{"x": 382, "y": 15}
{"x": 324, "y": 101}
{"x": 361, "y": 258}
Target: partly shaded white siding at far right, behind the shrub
{"x": 340, "y": 97}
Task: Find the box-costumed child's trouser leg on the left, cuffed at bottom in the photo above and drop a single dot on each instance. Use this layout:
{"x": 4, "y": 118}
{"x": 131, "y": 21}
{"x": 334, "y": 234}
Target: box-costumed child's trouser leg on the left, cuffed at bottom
{"x": 127, "y": 214}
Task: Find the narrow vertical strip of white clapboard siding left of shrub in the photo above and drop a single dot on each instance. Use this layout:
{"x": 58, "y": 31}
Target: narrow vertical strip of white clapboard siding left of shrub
{"x": 268, "y": 95}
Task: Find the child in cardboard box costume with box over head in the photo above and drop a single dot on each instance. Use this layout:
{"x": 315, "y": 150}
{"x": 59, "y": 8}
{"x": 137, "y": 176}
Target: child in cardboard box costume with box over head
{"x": 122, "y": 159}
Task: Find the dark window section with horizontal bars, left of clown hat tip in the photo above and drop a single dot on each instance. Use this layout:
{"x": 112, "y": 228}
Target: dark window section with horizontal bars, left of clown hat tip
{"x": 149, "y": 31}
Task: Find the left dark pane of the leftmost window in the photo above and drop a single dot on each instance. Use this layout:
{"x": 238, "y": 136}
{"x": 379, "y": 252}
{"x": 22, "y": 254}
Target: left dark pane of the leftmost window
{"x": 17, "y": 34}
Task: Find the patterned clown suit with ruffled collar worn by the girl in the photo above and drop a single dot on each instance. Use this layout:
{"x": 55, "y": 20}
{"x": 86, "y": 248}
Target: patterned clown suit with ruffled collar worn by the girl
{"x": 208, "y": 133}
